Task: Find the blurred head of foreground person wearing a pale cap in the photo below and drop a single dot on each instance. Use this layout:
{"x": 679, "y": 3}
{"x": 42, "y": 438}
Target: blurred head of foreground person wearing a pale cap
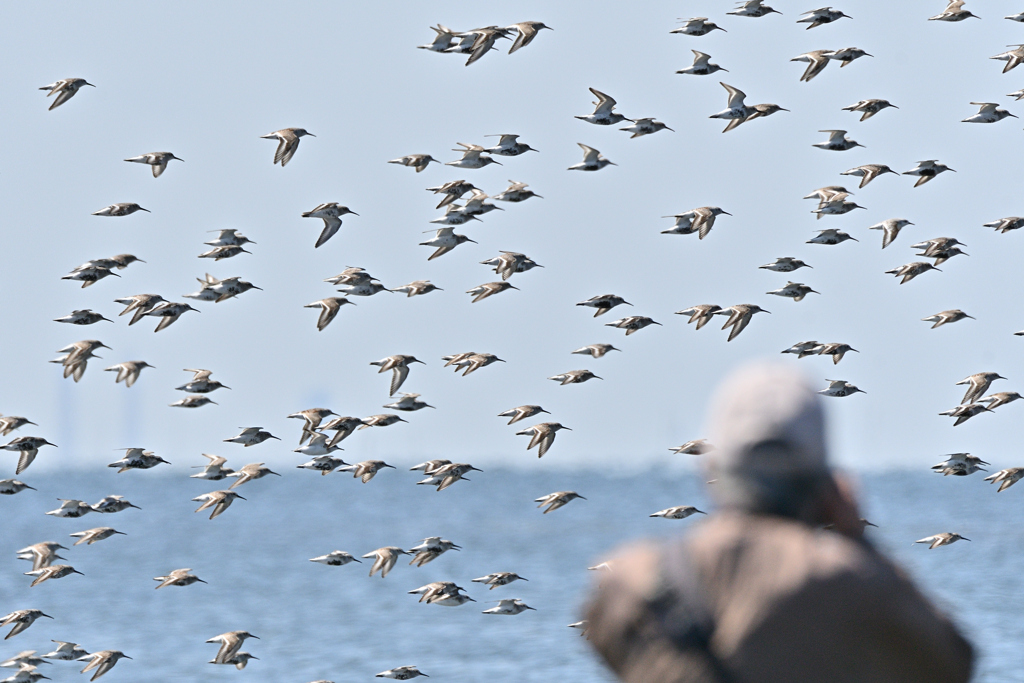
{"x": 769, "y": 428}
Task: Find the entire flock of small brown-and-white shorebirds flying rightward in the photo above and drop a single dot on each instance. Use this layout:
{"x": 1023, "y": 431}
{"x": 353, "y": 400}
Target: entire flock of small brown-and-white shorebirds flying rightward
{"x": 323, "y": 431}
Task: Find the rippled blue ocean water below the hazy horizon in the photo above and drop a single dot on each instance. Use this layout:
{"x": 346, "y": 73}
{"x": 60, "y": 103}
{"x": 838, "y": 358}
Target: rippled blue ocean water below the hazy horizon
{"x": 317, "y": 622}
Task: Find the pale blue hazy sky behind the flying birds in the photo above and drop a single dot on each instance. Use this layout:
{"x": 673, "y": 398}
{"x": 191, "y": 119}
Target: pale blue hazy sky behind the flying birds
{"x": 206, "y": 80}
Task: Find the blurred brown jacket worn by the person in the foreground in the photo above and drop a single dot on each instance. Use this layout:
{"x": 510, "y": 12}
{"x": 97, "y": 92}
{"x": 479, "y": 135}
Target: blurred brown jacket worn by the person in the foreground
{"x": 784, "y": 604}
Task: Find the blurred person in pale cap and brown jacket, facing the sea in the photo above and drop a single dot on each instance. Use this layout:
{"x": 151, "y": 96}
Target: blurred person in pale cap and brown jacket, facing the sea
{"x": 759, "y": 593}
